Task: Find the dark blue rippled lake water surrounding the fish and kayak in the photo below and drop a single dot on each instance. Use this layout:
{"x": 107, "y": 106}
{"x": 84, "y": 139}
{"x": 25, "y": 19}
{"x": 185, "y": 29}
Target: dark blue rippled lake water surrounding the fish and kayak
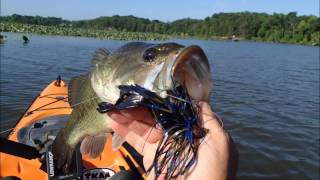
{"x": 267, "y": 94}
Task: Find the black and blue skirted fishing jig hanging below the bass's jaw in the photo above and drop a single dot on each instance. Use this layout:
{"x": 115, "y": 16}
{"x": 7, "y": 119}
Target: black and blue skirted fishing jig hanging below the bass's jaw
{"x": 177, "y": 115}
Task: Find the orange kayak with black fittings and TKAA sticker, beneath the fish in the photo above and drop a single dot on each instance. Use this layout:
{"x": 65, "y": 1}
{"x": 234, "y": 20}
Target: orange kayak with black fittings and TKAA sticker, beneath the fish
{"x": 25, "y": 153}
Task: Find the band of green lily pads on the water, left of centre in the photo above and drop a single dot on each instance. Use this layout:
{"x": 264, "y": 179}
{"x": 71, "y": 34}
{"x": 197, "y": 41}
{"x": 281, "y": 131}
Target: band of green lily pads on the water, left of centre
{"x": 73, "y": 31}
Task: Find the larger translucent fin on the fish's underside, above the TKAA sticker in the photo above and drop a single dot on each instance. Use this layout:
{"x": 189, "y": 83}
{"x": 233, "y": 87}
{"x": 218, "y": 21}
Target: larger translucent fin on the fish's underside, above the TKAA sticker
{"x": 93, "y": 145}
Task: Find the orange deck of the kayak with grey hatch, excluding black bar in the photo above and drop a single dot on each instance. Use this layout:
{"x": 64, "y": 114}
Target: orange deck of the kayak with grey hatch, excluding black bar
{"x": 40, "y": 124}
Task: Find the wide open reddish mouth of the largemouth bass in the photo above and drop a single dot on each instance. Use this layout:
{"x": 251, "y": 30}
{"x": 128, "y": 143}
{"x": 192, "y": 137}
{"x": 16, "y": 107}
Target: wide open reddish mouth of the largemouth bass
{"x": 192, "y": 70}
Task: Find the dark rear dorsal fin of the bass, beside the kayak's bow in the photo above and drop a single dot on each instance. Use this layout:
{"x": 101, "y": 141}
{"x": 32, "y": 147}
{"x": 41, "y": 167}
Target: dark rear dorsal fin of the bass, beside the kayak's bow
{"x": 75, "y": 86}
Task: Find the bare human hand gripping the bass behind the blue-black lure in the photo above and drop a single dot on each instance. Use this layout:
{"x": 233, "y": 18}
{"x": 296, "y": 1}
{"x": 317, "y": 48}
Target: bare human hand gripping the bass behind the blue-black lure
{"x": 217, "y": 155}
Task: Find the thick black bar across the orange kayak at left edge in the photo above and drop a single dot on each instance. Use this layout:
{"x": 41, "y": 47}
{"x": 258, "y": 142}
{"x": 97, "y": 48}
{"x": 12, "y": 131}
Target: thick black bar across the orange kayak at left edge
{"x": 18, "y": 149}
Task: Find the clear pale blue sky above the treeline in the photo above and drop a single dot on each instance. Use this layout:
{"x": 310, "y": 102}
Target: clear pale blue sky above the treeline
{"x": 164, "y": 10}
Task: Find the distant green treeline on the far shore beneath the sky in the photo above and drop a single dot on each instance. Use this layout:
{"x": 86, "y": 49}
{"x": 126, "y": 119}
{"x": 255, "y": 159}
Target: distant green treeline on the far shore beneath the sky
{"x": 287, "y": 28}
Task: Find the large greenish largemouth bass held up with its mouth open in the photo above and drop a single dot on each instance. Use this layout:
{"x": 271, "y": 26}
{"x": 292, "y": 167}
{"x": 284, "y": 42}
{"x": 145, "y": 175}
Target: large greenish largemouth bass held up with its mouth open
{"x": 151, "y": 66}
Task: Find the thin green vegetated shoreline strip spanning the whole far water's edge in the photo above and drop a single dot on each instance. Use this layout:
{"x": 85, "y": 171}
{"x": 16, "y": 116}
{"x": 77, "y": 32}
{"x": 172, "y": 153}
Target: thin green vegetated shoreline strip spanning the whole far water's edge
{"x": 120, "y": 35}
